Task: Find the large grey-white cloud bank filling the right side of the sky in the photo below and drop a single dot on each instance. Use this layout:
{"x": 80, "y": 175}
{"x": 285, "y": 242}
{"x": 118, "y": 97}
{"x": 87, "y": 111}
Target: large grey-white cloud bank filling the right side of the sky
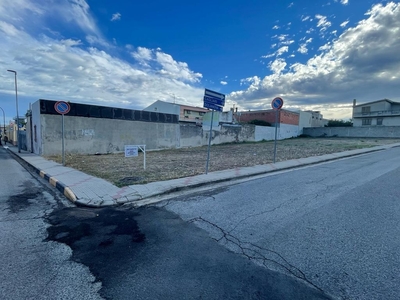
{"x": 362, "y": 63}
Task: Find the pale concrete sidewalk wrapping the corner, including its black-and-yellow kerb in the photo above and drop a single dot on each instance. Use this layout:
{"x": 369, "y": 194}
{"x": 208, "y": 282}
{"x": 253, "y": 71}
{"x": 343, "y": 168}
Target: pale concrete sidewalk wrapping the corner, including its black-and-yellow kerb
{"x": 87, "y": 190}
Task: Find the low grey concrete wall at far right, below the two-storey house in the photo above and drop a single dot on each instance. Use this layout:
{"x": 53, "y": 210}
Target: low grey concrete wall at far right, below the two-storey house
{"x": 366, "y": 131}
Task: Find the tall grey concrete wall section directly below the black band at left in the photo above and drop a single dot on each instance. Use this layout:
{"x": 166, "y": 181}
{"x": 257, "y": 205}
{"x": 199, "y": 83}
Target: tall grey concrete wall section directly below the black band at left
{"x": 91, "y": 135}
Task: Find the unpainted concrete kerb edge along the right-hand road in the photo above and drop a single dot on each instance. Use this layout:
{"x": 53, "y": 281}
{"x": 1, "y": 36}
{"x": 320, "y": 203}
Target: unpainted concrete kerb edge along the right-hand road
{"x": 204, "y": 183}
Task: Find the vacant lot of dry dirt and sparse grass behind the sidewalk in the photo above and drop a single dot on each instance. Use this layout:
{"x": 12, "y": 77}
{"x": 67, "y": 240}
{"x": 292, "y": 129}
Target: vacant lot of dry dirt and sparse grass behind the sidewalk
{"x": 177, "y": 163}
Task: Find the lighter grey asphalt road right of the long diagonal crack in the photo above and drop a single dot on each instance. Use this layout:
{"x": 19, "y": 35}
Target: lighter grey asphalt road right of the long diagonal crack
{"x": 335, "y": 225}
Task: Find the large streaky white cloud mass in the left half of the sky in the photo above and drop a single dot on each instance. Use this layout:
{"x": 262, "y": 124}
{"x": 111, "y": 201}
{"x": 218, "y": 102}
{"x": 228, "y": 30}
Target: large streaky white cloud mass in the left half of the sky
{"x": 63, "y": 68}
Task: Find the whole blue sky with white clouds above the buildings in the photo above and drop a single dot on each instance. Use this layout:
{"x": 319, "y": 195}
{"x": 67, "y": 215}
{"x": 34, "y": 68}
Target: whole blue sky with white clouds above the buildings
{"x": 316, "y": 55}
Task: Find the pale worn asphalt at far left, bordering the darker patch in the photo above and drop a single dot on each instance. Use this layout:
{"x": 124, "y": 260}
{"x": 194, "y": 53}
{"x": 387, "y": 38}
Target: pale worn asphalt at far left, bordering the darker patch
{"x": 30, "y": 266}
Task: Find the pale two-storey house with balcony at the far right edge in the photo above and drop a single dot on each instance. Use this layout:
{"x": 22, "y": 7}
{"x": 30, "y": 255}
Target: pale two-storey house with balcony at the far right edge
{"x": 383, "y": 112}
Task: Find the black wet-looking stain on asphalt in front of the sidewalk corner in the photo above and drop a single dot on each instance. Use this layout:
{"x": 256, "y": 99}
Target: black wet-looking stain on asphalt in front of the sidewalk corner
{"x": 103, "y": 239}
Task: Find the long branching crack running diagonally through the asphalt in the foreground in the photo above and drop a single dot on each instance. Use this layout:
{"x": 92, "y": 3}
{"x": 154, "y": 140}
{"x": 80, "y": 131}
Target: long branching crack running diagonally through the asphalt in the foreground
{"x": 254, "y": 252}
